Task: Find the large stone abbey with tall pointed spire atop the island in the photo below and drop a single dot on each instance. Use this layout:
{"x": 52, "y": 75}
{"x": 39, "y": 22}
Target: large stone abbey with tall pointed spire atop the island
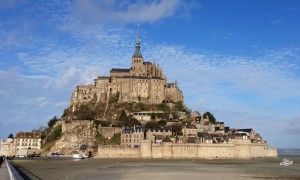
{"x": 143, "y": 82}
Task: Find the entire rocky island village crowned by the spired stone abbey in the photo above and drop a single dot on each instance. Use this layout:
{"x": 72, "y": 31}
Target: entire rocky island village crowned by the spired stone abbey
{"x": 137, "y": 113}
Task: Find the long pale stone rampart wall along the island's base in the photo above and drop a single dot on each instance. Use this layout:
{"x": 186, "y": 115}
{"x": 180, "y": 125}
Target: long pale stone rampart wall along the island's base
{"x": 240, "y": 149}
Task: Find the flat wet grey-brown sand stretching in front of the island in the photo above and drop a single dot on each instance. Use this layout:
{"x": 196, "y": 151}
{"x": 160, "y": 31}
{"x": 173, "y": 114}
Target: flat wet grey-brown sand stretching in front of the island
{"x": 150, "y": 169}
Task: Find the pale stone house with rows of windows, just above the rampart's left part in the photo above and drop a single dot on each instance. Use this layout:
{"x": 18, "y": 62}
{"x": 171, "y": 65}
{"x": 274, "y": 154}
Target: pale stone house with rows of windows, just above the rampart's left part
{"x": 132, "y": 136}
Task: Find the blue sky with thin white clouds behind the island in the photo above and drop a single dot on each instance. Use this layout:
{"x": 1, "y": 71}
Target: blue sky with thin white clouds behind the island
{"x": 238, "y": 59}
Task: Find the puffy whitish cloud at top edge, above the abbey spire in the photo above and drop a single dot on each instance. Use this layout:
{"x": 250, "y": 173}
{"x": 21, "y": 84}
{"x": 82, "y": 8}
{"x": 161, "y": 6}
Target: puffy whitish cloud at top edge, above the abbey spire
{"x": 142, "y": 11}
